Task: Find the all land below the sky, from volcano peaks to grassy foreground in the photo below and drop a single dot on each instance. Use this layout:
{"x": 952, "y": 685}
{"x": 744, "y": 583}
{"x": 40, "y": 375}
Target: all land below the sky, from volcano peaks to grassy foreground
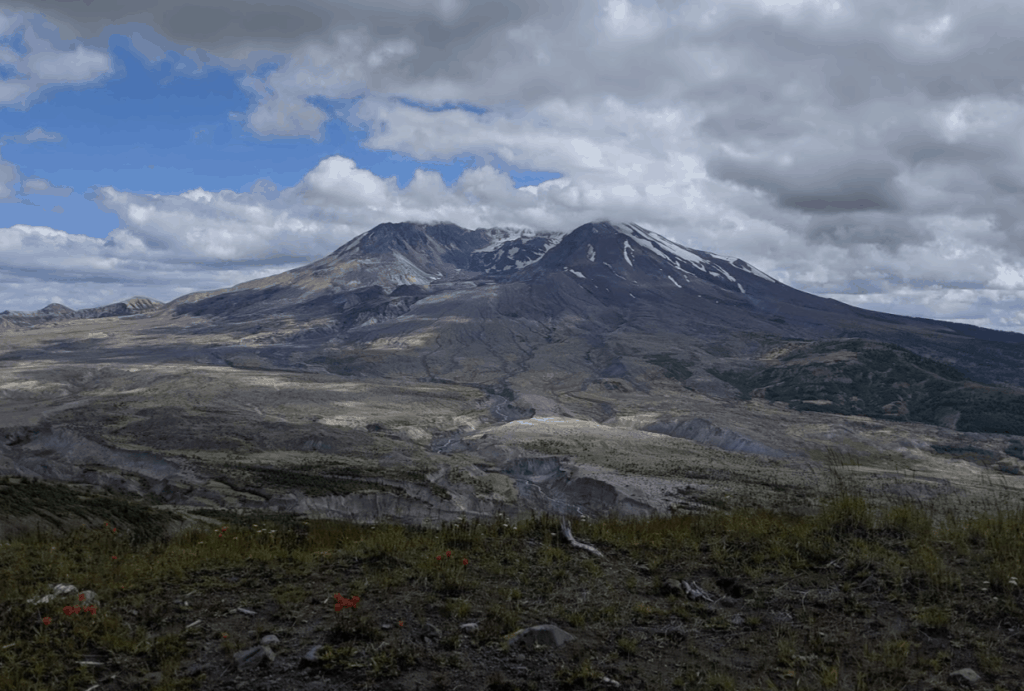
{"x": 476, "y": 438}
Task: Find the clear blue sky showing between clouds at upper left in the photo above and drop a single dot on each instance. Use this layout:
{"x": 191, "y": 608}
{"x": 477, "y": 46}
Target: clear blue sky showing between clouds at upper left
{"x": 175, "y": 135}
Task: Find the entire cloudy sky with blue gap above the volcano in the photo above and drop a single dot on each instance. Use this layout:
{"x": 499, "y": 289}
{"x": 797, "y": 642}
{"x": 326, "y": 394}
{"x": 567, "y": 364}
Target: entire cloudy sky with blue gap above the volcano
{"x": 871, "y": 152}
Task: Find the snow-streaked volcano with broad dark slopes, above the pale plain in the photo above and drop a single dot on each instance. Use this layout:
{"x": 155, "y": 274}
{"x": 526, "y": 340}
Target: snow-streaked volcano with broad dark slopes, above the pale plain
{"x": 608, "y": 307}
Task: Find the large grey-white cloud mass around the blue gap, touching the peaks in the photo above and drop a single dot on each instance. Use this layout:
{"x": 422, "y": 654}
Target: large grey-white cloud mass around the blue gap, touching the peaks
{"x": 867, "y": 150}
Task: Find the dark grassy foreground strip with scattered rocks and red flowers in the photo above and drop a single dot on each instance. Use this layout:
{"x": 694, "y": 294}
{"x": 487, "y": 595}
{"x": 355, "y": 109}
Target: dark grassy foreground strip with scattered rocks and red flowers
{"x": 852, "y": 597}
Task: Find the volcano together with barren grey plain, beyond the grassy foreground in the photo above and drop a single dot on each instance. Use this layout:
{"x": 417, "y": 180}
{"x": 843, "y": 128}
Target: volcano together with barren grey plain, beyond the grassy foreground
{"x": 430, "y": 370}
